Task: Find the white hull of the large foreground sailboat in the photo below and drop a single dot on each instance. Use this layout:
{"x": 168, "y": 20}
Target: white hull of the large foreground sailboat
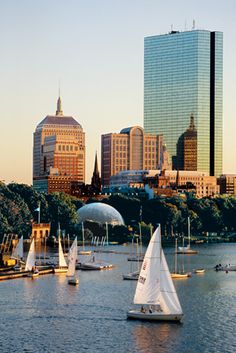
{"x": 155, "y": 316}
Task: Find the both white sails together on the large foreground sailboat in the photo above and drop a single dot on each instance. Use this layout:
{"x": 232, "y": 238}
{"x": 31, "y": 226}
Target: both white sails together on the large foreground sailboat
{"x": 155, "y": 285}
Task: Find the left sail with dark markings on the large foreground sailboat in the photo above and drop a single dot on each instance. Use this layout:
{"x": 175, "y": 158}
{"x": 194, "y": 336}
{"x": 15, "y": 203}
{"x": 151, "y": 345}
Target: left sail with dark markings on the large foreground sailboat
{"x": 148, "y": 286}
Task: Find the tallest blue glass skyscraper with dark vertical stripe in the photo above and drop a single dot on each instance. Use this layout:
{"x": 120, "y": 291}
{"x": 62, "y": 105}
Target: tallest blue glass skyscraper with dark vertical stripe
{"x": 183, "y": 75}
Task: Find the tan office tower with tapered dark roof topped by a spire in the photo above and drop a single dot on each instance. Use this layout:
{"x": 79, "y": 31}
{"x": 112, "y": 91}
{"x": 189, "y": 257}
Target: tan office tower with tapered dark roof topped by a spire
{"x": 58, "y": 153}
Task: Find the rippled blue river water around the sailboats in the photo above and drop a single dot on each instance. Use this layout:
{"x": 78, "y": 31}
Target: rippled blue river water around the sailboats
{"x": 48, "y": 315}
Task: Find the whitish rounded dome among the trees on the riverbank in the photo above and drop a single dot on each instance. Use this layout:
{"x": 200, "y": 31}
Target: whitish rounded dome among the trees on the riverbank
{"x": 101, "y": 213}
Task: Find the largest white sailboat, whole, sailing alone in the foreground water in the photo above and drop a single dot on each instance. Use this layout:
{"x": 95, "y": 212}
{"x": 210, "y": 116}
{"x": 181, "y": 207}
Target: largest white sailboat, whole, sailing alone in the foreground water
{"x": 155, "y": 291}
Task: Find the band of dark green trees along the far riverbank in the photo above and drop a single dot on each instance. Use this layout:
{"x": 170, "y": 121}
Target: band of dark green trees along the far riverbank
{"x": 18, "y": 204}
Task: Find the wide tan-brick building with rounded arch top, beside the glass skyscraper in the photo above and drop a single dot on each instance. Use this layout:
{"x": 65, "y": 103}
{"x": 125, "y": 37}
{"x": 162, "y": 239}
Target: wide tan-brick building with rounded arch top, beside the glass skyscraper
{"x": 131, "y": 149}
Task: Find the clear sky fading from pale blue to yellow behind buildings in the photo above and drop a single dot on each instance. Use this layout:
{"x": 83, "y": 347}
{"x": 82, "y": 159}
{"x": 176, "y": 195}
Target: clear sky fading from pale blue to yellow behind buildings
{"x": 95, "y": 50}
